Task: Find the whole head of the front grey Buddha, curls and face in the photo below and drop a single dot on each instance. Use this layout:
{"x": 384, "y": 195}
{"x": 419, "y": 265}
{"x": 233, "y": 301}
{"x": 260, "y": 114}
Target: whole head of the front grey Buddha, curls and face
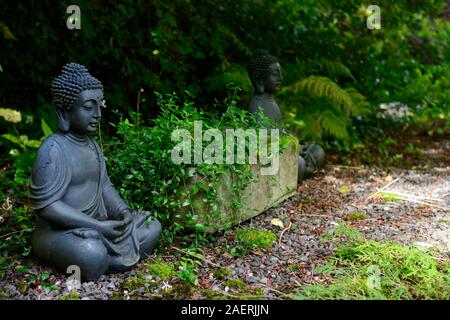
{"x": 78, "y": 98}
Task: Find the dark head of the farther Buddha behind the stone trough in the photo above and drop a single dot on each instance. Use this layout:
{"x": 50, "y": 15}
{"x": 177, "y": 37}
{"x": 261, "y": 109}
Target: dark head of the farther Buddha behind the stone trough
{"x": 265, "y": 72}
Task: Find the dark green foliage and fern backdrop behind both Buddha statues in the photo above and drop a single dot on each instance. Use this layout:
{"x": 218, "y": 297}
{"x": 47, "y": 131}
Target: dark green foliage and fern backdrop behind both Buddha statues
{"x": 200, "y": 47}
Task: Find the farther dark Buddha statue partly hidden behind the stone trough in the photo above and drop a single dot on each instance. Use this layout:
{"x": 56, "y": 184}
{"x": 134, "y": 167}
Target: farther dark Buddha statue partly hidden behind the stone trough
{"x": 266, "y": 77}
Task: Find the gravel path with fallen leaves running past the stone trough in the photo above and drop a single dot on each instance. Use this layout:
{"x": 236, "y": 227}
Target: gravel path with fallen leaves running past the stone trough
{"x": 319, "y": 206}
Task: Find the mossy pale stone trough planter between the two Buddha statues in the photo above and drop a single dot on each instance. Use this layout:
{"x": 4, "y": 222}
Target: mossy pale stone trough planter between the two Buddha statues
{"x": 263, "y": 192}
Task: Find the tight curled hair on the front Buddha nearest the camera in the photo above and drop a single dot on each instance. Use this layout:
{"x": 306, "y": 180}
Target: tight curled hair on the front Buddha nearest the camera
{"x": 73, "y": 79}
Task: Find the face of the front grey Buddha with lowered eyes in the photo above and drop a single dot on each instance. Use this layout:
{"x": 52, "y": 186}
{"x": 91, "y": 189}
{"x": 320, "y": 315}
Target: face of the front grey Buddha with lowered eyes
{"x": 85, "y": 115}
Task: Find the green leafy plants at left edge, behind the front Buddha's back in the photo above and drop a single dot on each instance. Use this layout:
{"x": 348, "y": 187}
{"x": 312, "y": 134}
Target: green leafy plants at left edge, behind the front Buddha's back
{"x": 16, "y": 218}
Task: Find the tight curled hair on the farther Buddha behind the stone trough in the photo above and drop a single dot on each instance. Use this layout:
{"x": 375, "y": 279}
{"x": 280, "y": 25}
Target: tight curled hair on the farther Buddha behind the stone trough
{"x": 258, "y": 68}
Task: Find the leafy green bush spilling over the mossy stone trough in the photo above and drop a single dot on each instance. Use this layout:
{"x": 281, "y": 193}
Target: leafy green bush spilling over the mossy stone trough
{"x": 142, "y": 169}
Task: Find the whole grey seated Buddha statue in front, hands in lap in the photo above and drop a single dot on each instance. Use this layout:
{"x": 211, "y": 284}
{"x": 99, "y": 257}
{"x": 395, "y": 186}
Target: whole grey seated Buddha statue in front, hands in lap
{"x": 83, "y": 221}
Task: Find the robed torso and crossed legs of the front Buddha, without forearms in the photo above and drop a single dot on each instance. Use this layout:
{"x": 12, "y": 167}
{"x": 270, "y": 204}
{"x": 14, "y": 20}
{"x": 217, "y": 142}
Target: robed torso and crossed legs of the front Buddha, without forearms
{"x": 70, "y": 169}
